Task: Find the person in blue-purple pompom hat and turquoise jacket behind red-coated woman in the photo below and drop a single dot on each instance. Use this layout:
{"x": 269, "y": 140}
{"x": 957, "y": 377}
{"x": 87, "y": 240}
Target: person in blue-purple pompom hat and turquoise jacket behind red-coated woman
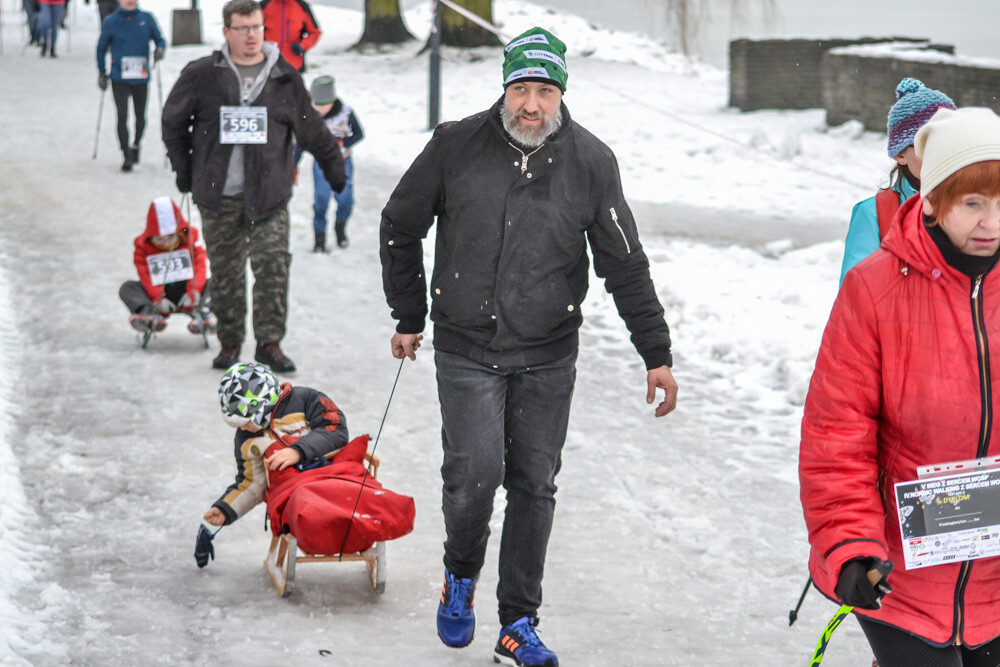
{"x": 915, "y": 104}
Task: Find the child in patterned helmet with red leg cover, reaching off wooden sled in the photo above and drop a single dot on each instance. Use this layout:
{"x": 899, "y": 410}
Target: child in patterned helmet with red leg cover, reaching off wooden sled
{"x": 292, "y": 452}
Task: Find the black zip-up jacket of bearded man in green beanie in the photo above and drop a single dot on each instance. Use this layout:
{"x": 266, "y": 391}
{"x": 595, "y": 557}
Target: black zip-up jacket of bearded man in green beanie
{"x": 511, "y": 265}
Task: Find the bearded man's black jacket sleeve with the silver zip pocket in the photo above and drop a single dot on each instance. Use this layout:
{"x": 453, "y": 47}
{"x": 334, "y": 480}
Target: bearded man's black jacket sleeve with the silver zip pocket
{"x": 621, "y": 262}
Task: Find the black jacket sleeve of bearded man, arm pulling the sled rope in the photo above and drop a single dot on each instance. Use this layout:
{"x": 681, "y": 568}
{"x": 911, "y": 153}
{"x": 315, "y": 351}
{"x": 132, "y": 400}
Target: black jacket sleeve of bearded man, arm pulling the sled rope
{"x": 407, "y": 217}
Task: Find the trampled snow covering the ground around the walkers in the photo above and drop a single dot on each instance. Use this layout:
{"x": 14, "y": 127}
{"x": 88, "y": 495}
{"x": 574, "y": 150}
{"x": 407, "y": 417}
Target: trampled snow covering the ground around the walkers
{"x": 677, "y": 541}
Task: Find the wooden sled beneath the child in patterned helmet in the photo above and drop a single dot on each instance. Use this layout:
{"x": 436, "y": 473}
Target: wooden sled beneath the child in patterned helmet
{"x": 284, "y": 554}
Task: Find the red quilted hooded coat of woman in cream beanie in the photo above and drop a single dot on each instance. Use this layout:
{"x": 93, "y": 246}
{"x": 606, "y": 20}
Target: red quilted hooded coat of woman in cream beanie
{"x": 904, "y": 378}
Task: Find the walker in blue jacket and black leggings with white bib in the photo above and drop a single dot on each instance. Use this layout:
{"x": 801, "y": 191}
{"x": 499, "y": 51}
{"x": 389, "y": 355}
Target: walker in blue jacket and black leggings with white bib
{"x": 128, "y": 32}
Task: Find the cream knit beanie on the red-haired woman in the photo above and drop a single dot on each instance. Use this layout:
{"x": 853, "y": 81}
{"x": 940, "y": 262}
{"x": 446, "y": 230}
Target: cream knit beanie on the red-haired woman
{"x": 954, "y": 139}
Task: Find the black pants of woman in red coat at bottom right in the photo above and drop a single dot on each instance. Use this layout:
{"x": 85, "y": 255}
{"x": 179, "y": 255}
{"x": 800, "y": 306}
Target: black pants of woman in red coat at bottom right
{"x": 896, "y": 648}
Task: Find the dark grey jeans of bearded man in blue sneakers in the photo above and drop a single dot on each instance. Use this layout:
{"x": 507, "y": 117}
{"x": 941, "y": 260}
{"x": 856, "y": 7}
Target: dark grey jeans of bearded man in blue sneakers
{"x": 502, "y": 426}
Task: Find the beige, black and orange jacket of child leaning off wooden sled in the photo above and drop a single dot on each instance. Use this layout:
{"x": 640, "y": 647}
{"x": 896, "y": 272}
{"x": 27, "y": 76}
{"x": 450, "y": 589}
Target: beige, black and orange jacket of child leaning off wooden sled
{"x": 307, "y": 419}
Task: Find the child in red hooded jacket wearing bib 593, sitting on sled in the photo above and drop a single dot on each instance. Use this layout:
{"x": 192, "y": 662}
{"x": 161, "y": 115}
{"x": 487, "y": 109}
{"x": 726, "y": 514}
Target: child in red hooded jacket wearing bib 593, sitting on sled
{"x": 170, "y": 260}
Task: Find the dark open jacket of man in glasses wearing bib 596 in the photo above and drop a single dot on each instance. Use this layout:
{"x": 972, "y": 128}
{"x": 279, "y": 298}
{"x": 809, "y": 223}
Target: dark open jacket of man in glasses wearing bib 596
{"x": 191, "y": 135}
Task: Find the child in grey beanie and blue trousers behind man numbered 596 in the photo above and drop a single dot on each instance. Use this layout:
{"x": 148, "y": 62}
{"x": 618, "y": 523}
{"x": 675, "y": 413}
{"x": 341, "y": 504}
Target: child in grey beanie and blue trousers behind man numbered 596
{"x": 344, "y": 125}
